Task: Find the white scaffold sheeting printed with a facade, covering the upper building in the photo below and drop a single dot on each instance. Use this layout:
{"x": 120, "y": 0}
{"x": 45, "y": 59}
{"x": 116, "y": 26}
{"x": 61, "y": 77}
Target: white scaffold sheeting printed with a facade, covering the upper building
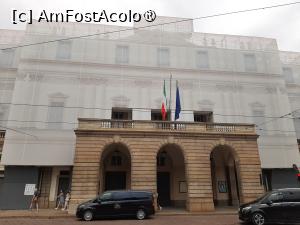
{"x": 239, "y": 78}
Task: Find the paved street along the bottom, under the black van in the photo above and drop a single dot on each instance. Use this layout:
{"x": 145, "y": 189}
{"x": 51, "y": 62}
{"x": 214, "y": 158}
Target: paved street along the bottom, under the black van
{"x": 157, "y": 220}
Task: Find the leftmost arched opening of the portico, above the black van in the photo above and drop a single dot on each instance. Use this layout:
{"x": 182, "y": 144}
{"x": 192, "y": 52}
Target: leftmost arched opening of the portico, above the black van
{"x": 115, "y": 172}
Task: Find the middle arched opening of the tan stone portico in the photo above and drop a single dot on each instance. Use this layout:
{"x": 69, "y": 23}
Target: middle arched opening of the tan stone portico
{"x": 171, "y": 177}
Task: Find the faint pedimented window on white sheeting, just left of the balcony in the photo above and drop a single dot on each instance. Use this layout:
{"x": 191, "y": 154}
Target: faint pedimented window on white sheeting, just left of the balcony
{"x": 55, "y": 114}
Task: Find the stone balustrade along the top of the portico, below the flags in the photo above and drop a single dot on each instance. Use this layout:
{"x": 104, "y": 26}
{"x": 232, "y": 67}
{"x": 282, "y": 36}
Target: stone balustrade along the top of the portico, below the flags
{"x": 96, "y": 124}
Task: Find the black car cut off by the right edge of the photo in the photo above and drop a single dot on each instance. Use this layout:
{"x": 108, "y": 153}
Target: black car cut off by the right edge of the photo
{"x": 278, "y": 206}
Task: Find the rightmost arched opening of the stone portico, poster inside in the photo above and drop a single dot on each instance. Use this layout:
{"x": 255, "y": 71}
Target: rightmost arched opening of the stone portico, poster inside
{"x": 224, "y": 176}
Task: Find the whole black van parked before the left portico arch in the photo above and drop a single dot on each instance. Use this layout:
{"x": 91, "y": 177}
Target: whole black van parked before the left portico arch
{"x": 118, "y": 204}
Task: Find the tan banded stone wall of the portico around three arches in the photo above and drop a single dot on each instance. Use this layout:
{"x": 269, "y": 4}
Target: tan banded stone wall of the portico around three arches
{"x": 143, "y": 150}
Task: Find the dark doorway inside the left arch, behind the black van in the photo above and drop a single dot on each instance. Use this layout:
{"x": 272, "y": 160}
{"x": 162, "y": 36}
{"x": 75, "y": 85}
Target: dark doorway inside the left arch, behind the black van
{"x": 115, "y": 180}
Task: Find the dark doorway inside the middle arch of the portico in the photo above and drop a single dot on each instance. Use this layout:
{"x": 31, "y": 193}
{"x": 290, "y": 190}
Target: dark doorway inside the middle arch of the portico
{"x": 163, "y": 188}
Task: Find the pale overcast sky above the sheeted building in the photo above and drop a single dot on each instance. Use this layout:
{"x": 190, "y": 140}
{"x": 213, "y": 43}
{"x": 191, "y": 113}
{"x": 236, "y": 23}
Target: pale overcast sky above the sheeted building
{"x": 281, "y": 23}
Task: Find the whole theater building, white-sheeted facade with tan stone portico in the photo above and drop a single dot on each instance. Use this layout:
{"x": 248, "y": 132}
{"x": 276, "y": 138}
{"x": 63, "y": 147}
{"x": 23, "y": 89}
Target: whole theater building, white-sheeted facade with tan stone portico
{"x": 84, "y": 114}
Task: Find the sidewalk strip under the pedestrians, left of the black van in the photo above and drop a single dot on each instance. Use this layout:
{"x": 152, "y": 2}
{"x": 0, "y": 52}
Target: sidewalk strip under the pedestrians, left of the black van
{"x": 42, "y": 213}
